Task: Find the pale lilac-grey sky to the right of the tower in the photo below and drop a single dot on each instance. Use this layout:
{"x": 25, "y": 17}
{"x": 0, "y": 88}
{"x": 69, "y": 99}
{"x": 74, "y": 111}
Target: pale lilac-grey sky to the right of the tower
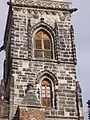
{"x": 81, "y": 21}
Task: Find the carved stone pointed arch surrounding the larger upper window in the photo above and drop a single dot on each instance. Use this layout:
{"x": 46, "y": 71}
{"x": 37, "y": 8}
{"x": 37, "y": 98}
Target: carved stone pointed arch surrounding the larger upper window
{"x": 44, "y": 27}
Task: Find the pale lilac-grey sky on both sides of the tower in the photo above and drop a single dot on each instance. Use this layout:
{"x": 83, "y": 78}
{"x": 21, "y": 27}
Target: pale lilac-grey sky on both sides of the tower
{"x": 81, "y": 23}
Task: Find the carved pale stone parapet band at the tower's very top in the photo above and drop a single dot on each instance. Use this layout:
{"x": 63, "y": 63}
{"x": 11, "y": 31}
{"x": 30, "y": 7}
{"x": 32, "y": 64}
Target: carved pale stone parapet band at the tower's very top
{"x": 43, "y": 3}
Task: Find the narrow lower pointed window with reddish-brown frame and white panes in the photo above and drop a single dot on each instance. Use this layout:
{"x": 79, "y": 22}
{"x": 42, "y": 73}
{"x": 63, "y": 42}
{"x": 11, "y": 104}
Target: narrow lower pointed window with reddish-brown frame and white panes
{"x": 46, "y": 93}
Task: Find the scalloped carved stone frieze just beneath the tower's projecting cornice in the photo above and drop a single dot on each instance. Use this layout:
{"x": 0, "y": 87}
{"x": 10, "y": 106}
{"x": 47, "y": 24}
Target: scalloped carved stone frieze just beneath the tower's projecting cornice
{"x": 35, "y": 13}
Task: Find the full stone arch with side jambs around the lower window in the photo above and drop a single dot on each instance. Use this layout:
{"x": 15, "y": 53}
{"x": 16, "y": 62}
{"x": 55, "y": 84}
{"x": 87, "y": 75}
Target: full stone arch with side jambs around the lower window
{"x": 47, "y": 75}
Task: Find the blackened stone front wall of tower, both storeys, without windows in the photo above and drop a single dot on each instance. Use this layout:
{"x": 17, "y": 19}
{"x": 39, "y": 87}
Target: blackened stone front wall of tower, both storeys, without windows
{"x": 25, "y": 68}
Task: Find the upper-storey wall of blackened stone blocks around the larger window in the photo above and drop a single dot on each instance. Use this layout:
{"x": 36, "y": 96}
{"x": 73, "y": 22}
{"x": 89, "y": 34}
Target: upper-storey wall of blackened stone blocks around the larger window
{"x": 24, "y": 18}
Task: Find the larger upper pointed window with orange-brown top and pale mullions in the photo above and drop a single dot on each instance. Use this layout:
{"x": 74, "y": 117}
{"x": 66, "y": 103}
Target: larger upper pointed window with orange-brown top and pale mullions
{"x": 42, "y": 48}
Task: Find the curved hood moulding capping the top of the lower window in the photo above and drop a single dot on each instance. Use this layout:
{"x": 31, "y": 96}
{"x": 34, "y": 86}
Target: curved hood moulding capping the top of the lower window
{"x": 48, "y": 74}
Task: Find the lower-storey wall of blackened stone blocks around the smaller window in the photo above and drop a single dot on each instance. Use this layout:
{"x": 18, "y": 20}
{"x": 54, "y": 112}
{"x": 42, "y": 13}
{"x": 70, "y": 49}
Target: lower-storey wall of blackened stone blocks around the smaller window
{"x": 24, "y": 72}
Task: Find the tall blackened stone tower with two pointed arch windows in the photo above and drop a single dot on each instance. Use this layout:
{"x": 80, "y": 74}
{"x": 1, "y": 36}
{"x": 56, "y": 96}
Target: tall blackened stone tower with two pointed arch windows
{"x": 40, "y": 51}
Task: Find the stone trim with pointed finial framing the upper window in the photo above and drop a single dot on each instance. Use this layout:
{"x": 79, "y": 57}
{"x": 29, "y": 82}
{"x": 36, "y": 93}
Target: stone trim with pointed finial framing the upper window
{"x": 38, "y": 26}
